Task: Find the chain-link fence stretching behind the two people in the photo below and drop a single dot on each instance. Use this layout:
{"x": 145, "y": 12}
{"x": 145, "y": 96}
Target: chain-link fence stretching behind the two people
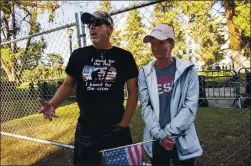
{"x": 206, "y": 33}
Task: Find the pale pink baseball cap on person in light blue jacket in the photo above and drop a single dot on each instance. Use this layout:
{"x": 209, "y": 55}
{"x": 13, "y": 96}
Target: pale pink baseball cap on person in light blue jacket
{"x": 160, "y": 32}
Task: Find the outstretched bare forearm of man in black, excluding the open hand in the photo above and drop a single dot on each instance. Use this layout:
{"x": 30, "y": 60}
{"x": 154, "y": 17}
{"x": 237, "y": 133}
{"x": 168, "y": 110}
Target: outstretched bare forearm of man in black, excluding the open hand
{"x": 63, "y": 92}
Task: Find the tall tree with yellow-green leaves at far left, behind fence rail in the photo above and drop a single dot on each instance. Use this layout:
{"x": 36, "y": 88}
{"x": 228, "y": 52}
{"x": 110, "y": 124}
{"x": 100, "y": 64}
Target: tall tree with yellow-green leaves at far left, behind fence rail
{"x": 16, "y": 58}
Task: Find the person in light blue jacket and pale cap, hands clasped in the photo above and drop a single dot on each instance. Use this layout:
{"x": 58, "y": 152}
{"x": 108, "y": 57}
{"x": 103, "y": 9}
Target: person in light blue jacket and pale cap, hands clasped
{"x": 168, "y": 91}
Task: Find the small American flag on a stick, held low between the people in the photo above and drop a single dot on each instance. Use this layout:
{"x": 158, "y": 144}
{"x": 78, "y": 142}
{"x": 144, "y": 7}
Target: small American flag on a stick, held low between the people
{"x": 130, "y": 155}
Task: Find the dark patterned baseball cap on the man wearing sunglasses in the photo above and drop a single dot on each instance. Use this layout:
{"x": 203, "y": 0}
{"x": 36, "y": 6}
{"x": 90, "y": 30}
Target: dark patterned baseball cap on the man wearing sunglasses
{"x": 100, "y": 15}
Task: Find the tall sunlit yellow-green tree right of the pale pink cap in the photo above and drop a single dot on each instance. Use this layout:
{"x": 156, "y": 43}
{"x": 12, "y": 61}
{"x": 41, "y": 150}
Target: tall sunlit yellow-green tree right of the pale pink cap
{"x": 205, "y": 29}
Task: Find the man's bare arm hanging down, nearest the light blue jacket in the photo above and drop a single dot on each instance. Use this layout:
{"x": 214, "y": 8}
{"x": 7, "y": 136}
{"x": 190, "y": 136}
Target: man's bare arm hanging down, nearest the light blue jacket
{"x": 132, "y": 87}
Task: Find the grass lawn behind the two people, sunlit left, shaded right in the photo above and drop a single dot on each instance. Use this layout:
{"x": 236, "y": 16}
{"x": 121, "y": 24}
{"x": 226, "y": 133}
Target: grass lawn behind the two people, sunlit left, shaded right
{"x": 224, "y": 135}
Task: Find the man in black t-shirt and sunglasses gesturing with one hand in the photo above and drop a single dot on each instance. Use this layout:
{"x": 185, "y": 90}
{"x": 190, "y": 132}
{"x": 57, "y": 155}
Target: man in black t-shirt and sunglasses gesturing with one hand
{"x": 99, "y": 72}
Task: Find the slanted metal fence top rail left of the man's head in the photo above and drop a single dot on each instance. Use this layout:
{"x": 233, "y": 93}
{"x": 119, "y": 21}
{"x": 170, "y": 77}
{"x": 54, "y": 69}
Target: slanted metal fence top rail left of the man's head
{"x": 40, "y": 33}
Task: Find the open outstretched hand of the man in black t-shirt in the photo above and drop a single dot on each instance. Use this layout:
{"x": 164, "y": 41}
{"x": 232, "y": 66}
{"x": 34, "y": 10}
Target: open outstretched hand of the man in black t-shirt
{"x": 47, "y": 109}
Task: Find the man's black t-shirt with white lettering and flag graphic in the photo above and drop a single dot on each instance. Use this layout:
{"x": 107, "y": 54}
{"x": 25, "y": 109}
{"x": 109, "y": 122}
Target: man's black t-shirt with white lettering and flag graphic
{"x": 100, "y": 77}
